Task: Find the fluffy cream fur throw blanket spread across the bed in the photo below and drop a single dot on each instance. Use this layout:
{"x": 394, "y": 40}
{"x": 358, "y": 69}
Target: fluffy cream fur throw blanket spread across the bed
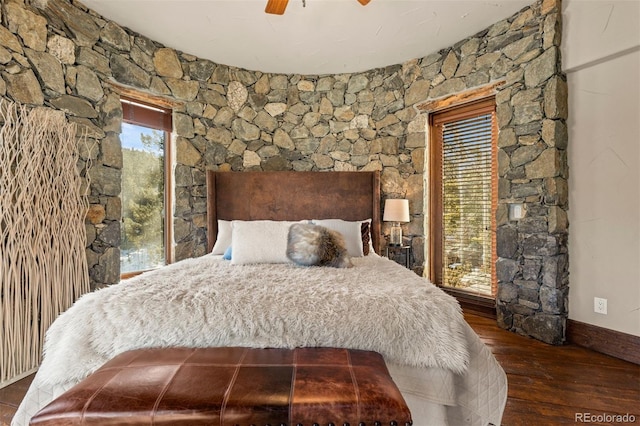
{"x": 376, "y": 305}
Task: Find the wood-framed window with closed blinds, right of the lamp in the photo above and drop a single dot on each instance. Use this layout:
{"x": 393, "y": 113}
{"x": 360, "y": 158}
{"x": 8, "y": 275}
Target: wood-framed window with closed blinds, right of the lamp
{"x": 464, "y": 198}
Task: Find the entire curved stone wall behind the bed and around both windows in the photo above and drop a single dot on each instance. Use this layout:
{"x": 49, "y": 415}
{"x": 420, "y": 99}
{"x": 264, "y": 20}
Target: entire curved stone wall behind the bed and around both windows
{"x": 60, "y": 54}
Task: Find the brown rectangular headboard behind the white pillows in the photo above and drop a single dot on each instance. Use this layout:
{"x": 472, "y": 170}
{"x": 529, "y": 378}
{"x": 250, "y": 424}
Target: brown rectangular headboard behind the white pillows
{"x": 288, "y": 195}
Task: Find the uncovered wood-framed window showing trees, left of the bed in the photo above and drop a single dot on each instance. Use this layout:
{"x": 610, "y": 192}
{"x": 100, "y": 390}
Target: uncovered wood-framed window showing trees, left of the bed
{"x": 146, "y": 227}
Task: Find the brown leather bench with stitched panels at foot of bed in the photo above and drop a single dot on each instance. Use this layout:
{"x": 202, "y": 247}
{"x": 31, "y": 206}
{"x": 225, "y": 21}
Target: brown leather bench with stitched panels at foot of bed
{"x": 233, "y": 386}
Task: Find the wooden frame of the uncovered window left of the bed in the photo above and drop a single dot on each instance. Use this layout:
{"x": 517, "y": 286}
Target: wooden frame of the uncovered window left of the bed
{"x": 157, "y": 117}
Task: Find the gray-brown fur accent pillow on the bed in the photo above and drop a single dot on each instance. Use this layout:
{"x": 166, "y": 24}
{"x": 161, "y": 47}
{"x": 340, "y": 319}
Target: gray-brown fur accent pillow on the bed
{"x": 315, "y": 245}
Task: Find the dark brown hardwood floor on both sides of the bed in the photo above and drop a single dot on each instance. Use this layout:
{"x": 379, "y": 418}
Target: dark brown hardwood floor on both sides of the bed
{"x": 548, "y": 385}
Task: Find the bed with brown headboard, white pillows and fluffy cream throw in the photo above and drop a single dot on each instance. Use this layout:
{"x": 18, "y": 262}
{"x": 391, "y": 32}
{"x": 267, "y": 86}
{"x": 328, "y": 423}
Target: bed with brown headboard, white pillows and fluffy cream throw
{"x": 445, "y": 373}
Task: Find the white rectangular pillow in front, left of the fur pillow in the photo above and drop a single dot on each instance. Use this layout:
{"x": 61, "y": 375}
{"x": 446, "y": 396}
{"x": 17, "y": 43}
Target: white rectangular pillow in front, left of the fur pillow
{"x": 259, "y": 241}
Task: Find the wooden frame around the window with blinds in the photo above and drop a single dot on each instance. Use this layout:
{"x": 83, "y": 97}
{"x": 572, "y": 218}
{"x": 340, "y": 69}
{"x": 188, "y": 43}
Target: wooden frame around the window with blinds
{"x": 436, "y": 237}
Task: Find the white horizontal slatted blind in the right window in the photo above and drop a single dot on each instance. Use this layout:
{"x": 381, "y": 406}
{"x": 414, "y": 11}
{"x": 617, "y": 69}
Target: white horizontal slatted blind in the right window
{"x": 467, "y": 203}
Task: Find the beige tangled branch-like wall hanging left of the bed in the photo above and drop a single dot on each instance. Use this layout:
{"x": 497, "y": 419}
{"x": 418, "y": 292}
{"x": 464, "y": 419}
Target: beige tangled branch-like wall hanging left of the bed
{"x": 43, "y": 203}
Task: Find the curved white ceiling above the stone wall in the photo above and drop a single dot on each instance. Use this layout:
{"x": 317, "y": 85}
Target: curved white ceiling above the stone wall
{"x": 324, "y": 37}
